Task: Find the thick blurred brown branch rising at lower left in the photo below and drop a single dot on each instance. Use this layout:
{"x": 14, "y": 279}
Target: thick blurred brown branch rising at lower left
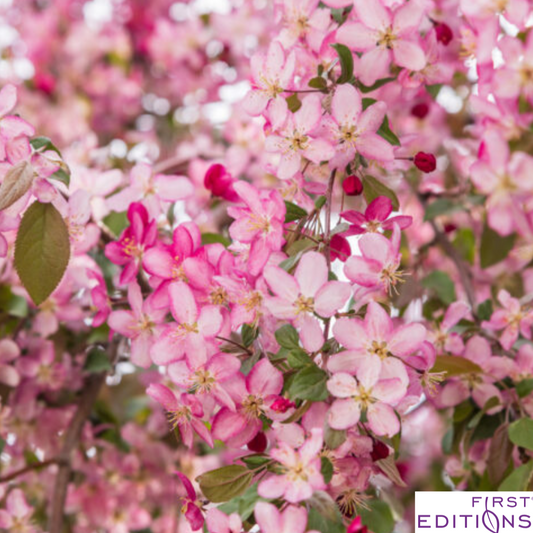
{"x": 91, "y": 389}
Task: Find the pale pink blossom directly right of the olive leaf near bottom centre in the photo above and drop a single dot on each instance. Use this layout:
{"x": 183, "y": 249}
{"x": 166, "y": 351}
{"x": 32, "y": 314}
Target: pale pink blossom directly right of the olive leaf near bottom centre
{"x": 301, "y": 471}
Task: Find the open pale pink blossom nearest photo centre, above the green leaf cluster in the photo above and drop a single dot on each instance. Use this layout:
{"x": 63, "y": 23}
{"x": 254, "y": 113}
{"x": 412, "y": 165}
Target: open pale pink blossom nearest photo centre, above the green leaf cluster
{"x": 298, "y": 298}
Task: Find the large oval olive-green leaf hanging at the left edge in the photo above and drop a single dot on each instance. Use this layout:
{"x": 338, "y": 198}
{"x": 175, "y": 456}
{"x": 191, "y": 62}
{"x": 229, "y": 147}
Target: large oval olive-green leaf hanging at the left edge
{"x": 42, "y": 250}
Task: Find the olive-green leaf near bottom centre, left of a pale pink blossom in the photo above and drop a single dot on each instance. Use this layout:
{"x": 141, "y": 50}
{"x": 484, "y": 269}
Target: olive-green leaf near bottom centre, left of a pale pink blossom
{"x": 225, "y": 483}
